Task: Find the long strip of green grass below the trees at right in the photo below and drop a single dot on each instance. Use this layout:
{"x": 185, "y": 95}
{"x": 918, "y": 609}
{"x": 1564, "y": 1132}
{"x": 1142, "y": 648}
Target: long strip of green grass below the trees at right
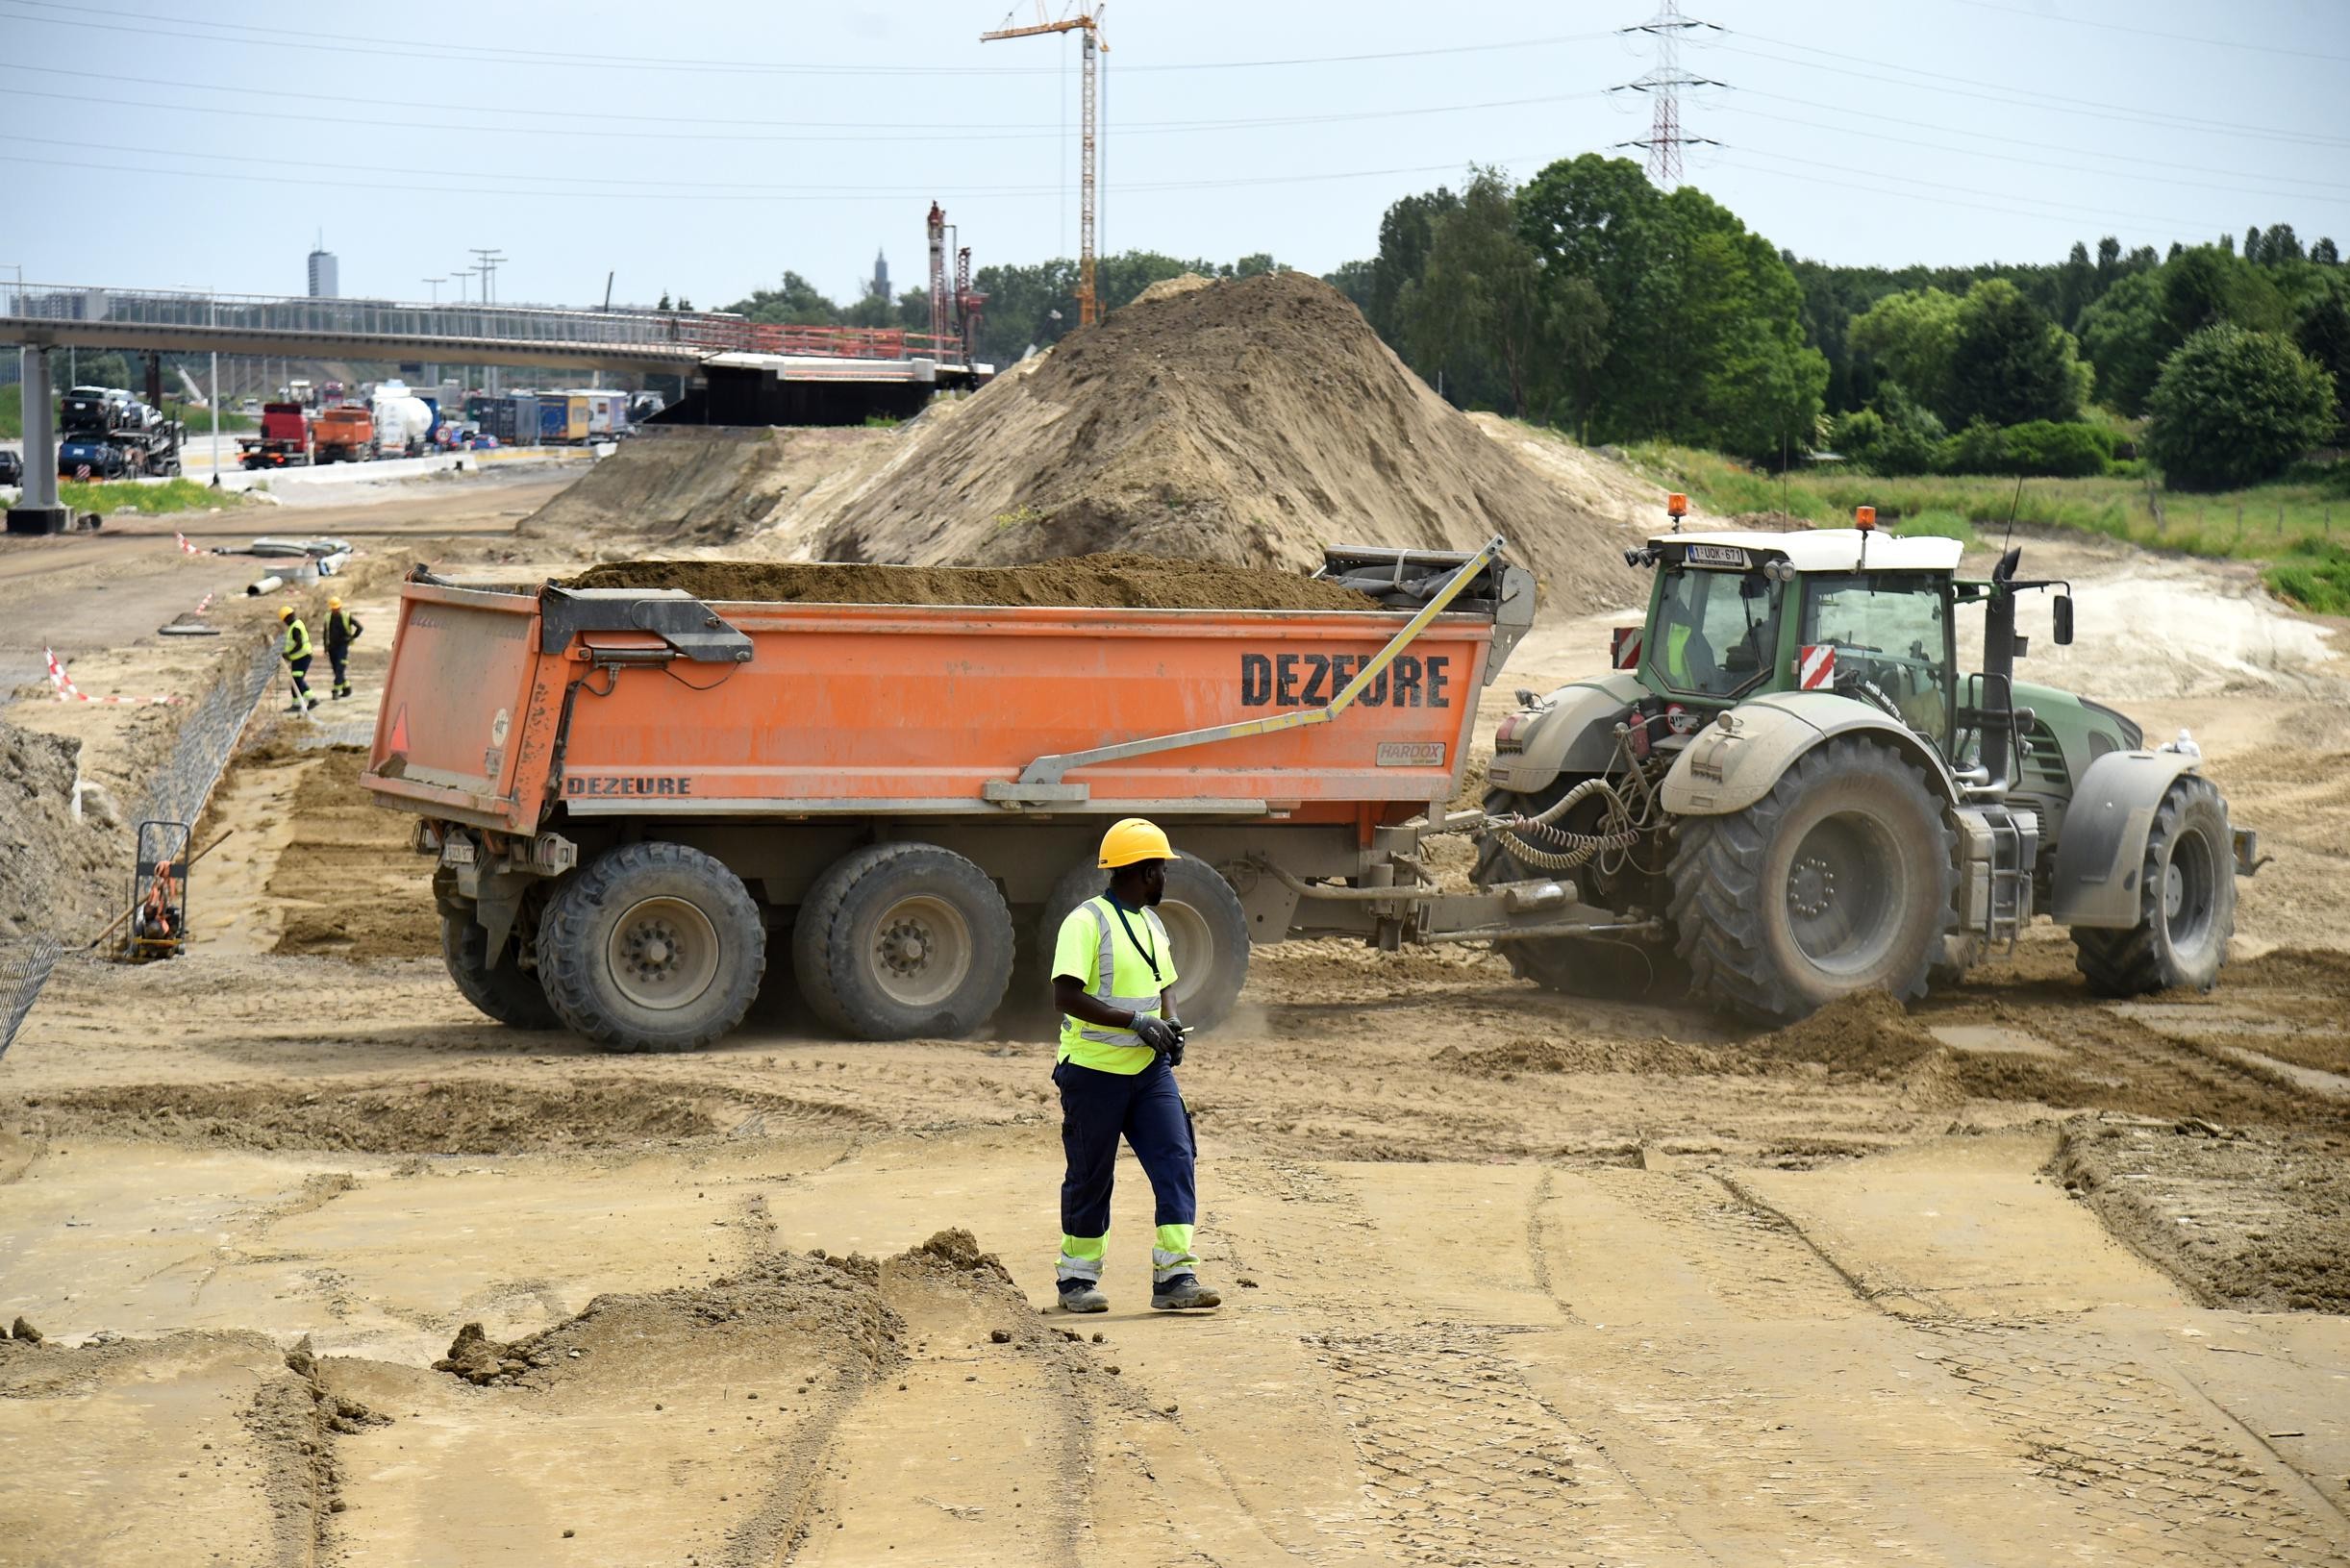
{"x": 2262, "y": 523}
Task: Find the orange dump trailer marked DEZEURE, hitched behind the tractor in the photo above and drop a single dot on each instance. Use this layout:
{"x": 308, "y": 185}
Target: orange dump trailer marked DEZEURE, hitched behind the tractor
{"x": 640, "y": 800}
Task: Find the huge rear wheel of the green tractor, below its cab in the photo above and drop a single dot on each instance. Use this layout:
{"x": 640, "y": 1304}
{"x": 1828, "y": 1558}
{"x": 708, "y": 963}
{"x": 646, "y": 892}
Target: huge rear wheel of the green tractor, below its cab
{"x": 1839, "y": 880}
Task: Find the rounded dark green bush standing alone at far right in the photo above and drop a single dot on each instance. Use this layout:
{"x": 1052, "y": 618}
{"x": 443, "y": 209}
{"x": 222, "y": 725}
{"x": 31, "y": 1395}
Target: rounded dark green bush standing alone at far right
{"x": 2236, "y": 408}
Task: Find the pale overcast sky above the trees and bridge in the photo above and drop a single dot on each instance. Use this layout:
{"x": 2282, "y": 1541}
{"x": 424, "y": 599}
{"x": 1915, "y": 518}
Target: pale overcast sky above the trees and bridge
{"x": 704, "y": 147}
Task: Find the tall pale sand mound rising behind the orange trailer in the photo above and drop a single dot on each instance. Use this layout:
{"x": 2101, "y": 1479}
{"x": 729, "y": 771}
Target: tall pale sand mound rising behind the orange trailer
{"x": 1251, "y": 422}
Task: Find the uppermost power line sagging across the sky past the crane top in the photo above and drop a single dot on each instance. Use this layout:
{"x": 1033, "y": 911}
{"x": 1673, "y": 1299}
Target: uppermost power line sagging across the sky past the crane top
{"x": 363, "y": 43}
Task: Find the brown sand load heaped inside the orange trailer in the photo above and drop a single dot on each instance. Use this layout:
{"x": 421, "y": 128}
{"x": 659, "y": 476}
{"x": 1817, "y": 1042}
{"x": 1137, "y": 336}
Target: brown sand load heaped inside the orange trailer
{"x": 1122, "y": 582}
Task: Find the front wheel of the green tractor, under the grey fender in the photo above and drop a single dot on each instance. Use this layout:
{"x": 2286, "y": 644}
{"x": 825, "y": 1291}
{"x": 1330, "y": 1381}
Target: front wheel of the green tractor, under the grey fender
{"x": 2187, "y": 902}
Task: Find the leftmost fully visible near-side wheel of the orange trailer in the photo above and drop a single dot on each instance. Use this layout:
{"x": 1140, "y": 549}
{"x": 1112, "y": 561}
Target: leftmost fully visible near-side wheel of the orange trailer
{"x": 652, "y": 949}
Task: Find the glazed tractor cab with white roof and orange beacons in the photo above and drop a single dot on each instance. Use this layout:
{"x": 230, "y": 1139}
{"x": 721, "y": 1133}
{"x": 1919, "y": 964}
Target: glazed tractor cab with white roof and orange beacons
{"x": 1735, "y": 617}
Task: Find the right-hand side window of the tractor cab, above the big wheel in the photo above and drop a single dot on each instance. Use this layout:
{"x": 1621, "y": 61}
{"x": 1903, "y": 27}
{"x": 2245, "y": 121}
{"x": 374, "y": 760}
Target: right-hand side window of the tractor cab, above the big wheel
{"x": 1893, "y": 641}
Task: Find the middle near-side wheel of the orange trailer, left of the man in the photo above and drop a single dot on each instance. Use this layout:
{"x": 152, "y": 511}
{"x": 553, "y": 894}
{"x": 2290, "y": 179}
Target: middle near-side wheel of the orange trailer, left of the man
{"x": 904, "y": 942}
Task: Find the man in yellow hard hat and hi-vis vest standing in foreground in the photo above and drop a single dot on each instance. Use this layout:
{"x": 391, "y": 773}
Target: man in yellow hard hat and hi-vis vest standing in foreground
{"x": 1120, "y": 1047}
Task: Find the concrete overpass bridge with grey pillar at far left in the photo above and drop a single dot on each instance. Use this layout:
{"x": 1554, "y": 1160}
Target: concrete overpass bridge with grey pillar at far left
{"x": 748, "y": 373}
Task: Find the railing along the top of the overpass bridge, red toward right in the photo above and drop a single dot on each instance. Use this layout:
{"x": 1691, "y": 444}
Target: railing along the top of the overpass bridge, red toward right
{"x": 410, "y": 321}
